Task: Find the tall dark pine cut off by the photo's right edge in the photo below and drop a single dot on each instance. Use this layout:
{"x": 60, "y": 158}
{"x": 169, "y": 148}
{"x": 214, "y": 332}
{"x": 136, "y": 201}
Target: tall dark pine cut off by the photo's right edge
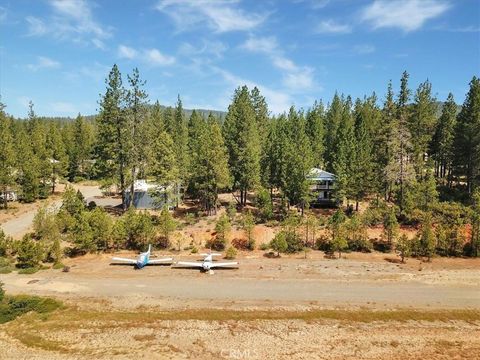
{"x": 467, "y": 138}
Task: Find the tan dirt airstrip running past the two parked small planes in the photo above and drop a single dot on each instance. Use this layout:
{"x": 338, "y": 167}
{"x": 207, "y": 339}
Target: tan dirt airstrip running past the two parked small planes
{"x": 289, "y": 282}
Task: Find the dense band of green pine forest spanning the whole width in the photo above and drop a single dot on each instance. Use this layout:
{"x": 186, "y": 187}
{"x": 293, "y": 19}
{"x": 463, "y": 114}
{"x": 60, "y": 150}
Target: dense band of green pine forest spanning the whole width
{"x": 415, "y": 162}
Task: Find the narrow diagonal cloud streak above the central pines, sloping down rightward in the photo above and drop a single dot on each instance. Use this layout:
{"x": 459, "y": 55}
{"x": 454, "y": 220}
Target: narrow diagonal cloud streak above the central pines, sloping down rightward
{"x": 295, "y": 77}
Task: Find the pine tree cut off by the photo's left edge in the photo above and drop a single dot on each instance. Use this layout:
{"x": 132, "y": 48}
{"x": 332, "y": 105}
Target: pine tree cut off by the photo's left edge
{"x": 7, "y": 155}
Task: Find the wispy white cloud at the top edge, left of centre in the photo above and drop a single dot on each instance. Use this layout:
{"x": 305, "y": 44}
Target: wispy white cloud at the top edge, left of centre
{"x": 219, "y": 15}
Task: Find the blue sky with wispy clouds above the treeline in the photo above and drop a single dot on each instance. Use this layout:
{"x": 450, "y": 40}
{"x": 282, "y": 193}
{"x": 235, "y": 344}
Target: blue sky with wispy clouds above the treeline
{"x": 58, "y": 53}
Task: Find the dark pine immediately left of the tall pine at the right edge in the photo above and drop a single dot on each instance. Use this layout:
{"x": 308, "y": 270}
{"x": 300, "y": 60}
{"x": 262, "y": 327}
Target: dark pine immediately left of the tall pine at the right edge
{"x": 442, "y": 141}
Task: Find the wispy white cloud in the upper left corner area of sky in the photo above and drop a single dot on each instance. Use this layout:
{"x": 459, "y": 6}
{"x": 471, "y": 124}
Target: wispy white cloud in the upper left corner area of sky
{"x": 72, "y": 20}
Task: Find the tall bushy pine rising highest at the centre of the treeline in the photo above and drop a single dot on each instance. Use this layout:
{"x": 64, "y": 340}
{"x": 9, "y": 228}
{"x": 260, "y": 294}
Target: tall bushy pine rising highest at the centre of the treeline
{"x": 242, "y": 141}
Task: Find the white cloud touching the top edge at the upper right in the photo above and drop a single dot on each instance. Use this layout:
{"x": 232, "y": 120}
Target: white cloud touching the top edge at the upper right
{"x": 408, "y": 15}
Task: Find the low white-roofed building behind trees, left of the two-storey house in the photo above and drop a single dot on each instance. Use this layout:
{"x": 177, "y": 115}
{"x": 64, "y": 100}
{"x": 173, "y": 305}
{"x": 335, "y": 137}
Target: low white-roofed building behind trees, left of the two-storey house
{"x": 150, "y": 195}
